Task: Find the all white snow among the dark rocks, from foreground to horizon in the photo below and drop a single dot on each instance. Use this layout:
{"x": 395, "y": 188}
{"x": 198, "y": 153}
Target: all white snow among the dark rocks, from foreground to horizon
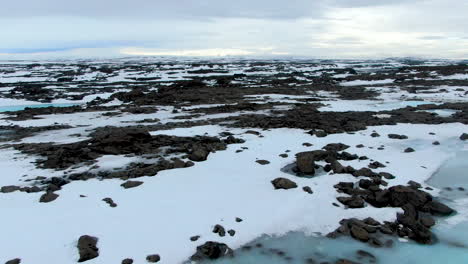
{"x": 161, "y": 215}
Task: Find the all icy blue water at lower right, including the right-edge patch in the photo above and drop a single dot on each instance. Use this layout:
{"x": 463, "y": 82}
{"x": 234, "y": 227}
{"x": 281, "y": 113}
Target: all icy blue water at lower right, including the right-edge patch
{"x": 296, "y": 247}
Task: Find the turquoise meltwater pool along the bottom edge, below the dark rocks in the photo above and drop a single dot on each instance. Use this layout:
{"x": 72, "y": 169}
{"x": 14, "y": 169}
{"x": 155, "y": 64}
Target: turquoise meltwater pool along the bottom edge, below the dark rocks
{"x": 295, "y": 248}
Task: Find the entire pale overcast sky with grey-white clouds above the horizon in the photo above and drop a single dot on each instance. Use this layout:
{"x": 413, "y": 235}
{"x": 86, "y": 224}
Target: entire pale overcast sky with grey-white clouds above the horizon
{"x": 315, "y": 28}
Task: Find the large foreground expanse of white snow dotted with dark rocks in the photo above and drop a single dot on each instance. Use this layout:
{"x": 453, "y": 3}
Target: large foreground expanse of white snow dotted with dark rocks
{"x": 162, "y": 214}
